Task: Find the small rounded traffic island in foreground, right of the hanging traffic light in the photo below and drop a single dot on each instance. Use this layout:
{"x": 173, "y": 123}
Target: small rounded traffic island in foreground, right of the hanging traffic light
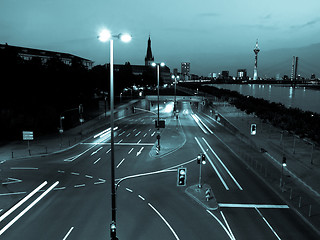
{"x": 203, "y": 195}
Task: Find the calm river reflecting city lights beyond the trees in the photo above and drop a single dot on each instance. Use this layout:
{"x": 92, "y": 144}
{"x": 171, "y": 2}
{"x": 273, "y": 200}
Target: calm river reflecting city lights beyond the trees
{"x": 299, "y": 97}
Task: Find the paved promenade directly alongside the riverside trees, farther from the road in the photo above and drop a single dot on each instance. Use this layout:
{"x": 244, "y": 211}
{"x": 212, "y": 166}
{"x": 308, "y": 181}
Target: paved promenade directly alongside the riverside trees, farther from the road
{"x": 303, "y": 159}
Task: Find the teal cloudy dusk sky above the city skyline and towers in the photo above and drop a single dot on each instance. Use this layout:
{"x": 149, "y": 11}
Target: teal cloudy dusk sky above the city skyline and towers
{"x": 212, "y": 35}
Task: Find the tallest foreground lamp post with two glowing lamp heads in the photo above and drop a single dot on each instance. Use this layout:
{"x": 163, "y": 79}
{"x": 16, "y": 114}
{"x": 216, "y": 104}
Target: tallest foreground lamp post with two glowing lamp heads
{"x": 105, "y": 36}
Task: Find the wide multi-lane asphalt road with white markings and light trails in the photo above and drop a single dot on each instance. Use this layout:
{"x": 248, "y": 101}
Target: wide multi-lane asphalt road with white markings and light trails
{"x": 67, "y": 195}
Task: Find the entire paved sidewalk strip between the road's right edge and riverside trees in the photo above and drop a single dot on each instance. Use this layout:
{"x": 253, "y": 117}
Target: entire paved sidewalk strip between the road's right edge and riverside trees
{"x": 301, "y": 177}
